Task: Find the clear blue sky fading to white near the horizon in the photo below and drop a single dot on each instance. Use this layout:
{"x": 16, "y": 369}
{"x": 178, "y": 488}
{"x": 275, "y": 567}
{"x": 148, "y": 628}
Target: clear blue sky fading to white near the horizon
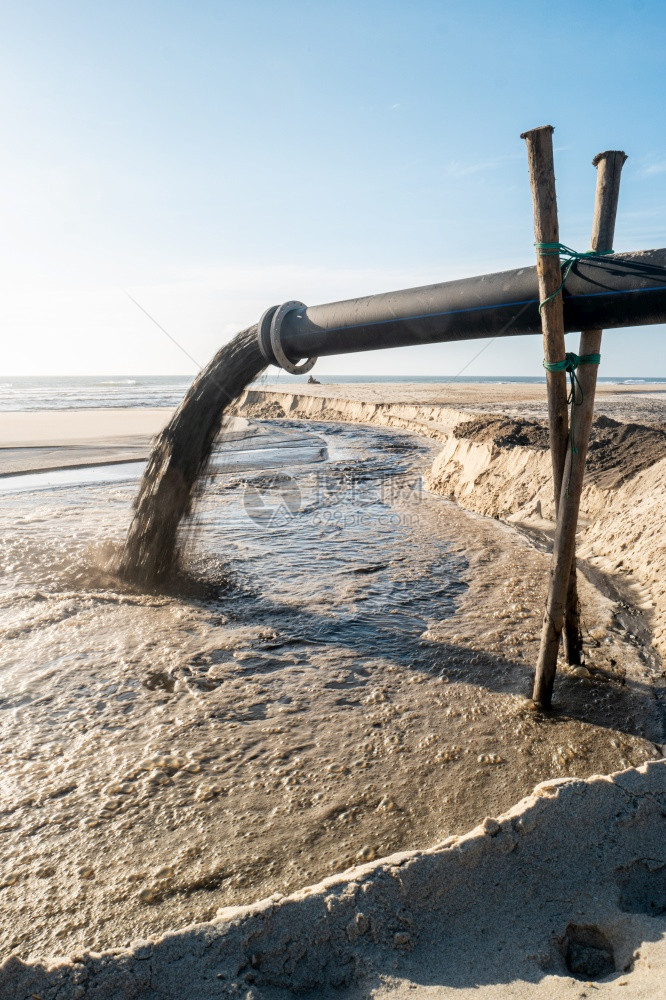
{"x": 214, "y": 158}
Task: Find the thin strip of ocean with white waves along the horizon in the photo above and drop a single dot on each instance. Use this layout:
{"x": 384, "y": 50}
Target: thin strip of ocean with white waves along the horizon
{"x": 92, "y": 392}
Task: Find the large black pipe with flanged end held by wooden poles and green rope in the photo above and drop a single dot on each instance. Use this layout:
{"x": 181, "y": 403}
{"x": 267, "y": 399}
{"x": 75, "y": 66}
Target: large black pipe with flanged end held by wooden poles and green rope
{"x": 603, "y": 292}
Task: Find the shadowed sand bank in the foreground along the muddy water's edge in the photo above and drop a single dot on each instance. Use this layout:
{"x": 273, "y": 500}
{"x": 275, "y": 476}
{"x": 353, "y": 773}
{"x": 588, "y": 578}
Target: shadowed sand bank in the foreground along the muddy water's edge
{"x": 564, "y": 896}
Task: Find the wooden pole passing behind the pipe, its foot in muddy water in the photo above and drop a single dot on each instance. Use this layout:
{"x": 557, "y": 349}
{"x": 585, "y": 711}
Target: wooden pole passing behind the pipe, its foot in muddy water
{"x": 609, "y": 166}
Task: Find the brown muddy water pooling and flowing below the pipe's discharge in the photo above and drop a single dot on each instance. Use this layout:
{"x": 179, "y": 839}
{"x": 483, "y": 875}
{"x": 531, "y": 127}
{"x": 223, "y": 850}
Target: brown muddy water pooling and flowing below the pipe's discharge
{"x": 348, "y": 680}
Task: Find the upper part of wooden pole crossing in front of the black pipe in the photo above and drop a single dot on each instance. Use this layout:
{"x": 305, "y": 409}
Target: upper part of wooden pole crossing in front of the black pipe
{"x": 546, "y": 230}
